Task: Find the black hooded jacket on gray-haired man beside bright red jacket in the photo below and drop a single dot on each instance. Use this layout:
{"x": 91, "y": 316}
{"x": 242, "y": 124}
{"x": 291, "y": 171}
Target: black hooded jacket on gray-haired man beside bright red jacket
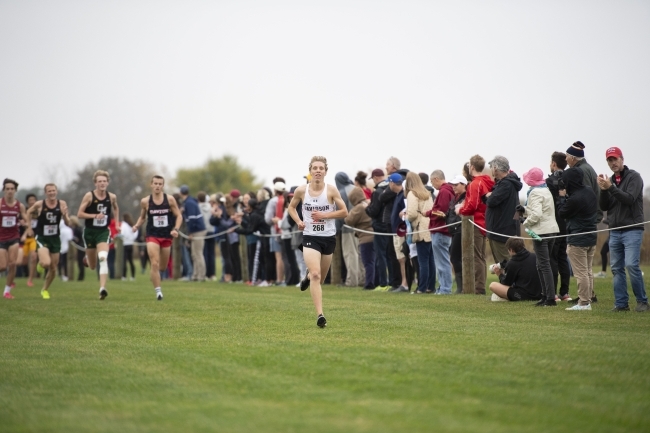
{"x": 501, "y": 206}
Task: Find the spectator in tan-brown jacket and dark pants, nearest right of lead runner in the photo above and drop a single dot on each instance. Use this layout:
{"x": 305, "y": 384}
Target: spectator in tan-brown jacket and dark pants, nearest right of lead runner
{"x": 358, "y": 218}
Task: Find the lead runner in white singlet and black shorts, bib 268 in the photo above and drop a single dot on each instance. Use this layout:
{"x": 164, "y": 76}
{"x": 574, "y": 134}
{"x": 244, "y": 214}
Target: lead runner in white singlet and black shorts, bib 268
{"x": 320, "y": 202}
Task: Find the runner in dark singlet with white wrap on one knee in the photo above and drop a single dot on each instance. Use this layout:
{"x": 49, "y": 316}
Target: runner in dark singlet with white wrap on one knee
{"x": 97, "y": 208}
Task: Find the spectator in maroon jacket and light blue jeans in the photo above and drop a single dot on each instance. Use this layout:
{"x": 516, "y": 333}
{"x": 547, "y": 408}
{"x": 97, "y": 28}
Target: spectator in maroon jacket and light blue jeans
{"x": 440, "y": 237}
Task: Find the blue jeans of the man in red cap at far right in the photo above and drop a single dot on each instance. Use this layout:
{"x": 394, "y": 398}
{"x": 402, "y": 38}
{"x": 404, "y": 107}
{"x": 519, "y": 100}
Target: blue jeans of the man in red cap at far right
{"x": 624, "y": 253}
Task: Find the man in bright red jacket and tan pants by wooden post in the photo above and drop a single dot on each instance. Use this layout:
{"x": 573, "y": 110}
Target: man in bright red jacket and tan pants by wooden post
{"x": 480, "y": 185}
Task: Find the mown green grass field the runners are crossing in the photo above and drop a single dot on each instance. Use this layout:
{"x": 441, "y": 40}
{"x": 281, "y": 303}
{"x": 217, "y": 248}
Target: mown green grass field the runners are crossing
{"x": 231, "y": 358}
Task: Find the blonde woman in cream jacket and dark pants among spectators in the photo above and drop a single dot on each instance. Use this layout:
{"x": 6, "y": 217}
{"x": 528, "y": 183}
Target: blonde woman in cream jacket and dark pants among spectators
{"x": 418, "y": 208}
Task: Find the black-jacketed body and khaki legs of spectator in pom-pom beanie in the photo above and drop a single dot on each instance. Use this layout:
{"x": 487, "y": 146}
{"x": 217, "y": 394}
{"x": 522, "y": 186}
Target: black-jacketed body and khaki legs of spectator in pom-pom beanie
{"x": 579, "y": 210}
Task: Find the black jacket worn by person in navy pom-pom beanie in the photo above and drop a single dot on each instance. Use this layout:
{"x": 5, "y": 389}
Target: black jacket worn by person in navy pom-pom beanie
{"x": 578, "y": 209}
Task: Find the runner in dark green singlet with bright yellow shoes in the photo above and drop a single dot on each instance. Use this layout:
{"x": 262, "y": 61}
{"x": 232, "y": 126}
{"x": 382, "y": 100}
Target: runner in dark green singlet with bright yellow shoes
{"x": 49, "y": 214}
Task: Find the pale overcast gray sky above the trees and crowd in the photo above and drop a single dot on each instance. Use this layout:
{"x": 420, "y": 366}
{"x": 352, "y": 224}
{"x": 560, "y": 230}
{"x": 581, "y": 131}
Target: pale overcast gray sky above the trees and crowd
{"x": 275, "y": 83}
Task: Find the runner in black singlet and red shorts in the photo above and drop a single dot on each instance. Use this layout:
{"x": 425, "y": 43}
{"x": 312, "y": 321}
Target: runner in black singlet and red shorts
{"x": 157, "y": 210}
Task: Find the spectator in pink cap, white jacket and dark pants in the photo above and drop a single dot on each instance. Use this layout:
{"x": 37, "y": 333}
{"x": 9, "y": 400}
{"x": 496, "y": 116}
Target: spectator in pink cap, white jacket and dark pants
{"x": 540, "y": 219}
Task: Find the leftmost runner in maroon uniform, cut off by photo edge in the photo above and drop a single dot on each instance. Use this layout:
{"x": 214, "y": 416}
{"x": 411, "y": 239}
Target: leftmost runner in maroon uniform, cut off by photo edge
{"x": 11, "y": 210}
